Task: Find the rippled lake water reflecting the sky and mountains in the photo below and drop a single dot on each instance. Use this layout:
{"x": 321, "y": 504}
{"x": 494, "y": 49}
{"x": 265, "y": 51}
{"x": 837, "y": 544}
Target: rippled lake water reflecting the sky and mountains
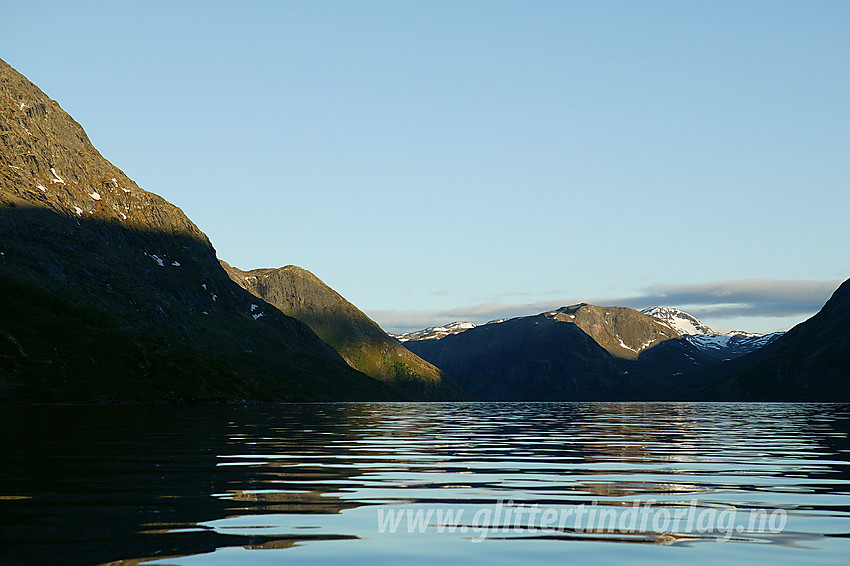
{"x": 471, "y": 483}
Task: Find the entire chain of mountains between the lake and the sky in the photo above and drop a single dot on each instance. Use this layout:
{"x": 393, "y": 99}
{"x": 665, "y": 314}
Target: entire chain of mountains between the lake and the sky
{"x": 109, "y": 293}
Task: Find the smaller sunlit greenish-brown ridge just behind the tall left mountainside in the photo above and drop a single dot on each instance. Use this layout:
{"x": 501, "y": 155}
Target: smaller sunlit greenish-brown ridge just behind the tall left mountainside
{"x": 360, "y": 341}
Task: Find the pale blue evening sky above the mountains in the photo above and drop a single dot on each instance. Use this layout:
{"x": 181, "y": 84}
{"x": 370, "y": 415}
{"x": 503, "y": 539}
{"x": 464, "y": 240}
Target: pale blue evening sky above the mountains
{"x": 442, "y": 160}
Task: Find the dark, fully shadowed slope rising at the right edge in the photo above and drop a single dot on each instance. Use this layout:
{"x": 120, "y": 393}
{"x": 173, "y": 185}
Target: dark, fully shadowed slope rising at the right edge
{"x": 811, "y": 362}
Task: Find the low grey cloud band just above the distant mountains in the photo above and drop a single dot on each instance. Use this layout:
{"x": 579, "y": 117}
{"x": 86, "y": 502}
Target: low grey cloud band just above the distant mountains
{"x": 717, "y": 300}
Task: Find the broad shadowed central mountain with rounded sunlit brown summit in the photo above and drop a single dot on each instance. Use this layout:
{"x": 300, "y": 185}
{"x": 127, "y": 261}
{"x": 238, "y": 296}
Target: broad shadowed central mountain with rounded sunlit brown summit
{"x": 580, "y": 352}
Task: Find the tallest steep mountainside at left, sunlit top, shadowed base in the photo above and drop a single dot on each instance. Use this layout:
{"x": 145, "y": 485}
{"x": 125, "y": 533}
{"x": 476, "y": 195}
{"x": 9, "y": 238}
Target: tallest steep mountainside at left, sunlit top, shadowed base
{"x": 109, "y": 292}
